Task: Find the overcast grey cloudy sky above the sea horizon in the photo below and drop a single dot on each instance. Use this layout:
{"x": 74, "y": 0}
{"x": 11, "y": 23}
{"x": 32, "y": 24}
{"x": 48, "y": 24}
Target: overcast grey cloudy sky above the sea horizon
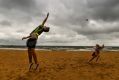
{"x": 67, "y": 21}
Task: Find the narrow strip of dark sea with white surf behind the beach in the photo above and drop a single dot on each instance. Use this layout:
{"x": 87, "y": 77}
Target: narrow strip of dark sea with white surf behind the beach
{"x": 56, "y": 48}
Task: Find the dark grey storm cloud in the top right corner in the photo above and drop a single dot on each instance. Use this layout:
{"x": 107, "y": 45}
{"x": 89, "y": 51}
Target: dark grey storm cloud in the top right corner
{"x": 104, "y": 9}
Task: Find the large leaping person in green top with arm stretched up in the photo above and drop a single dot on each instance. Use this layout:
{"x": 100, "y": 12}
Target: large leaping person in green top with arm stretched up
{"x": 32, "y": 40}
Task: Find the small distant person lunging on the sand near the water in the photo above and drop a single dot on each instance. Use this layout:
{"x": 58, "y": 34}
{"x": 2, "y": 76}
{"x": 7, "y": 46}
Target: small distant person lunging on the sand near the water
{"x": 96, "y": 53}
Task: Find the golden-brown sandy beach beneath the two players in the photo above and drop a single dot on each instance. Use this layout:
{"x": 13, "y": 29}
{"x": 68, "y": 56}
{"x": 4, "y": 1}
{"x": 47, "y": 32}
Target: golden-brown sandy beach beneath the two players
{"x": 59, "y": 65}
